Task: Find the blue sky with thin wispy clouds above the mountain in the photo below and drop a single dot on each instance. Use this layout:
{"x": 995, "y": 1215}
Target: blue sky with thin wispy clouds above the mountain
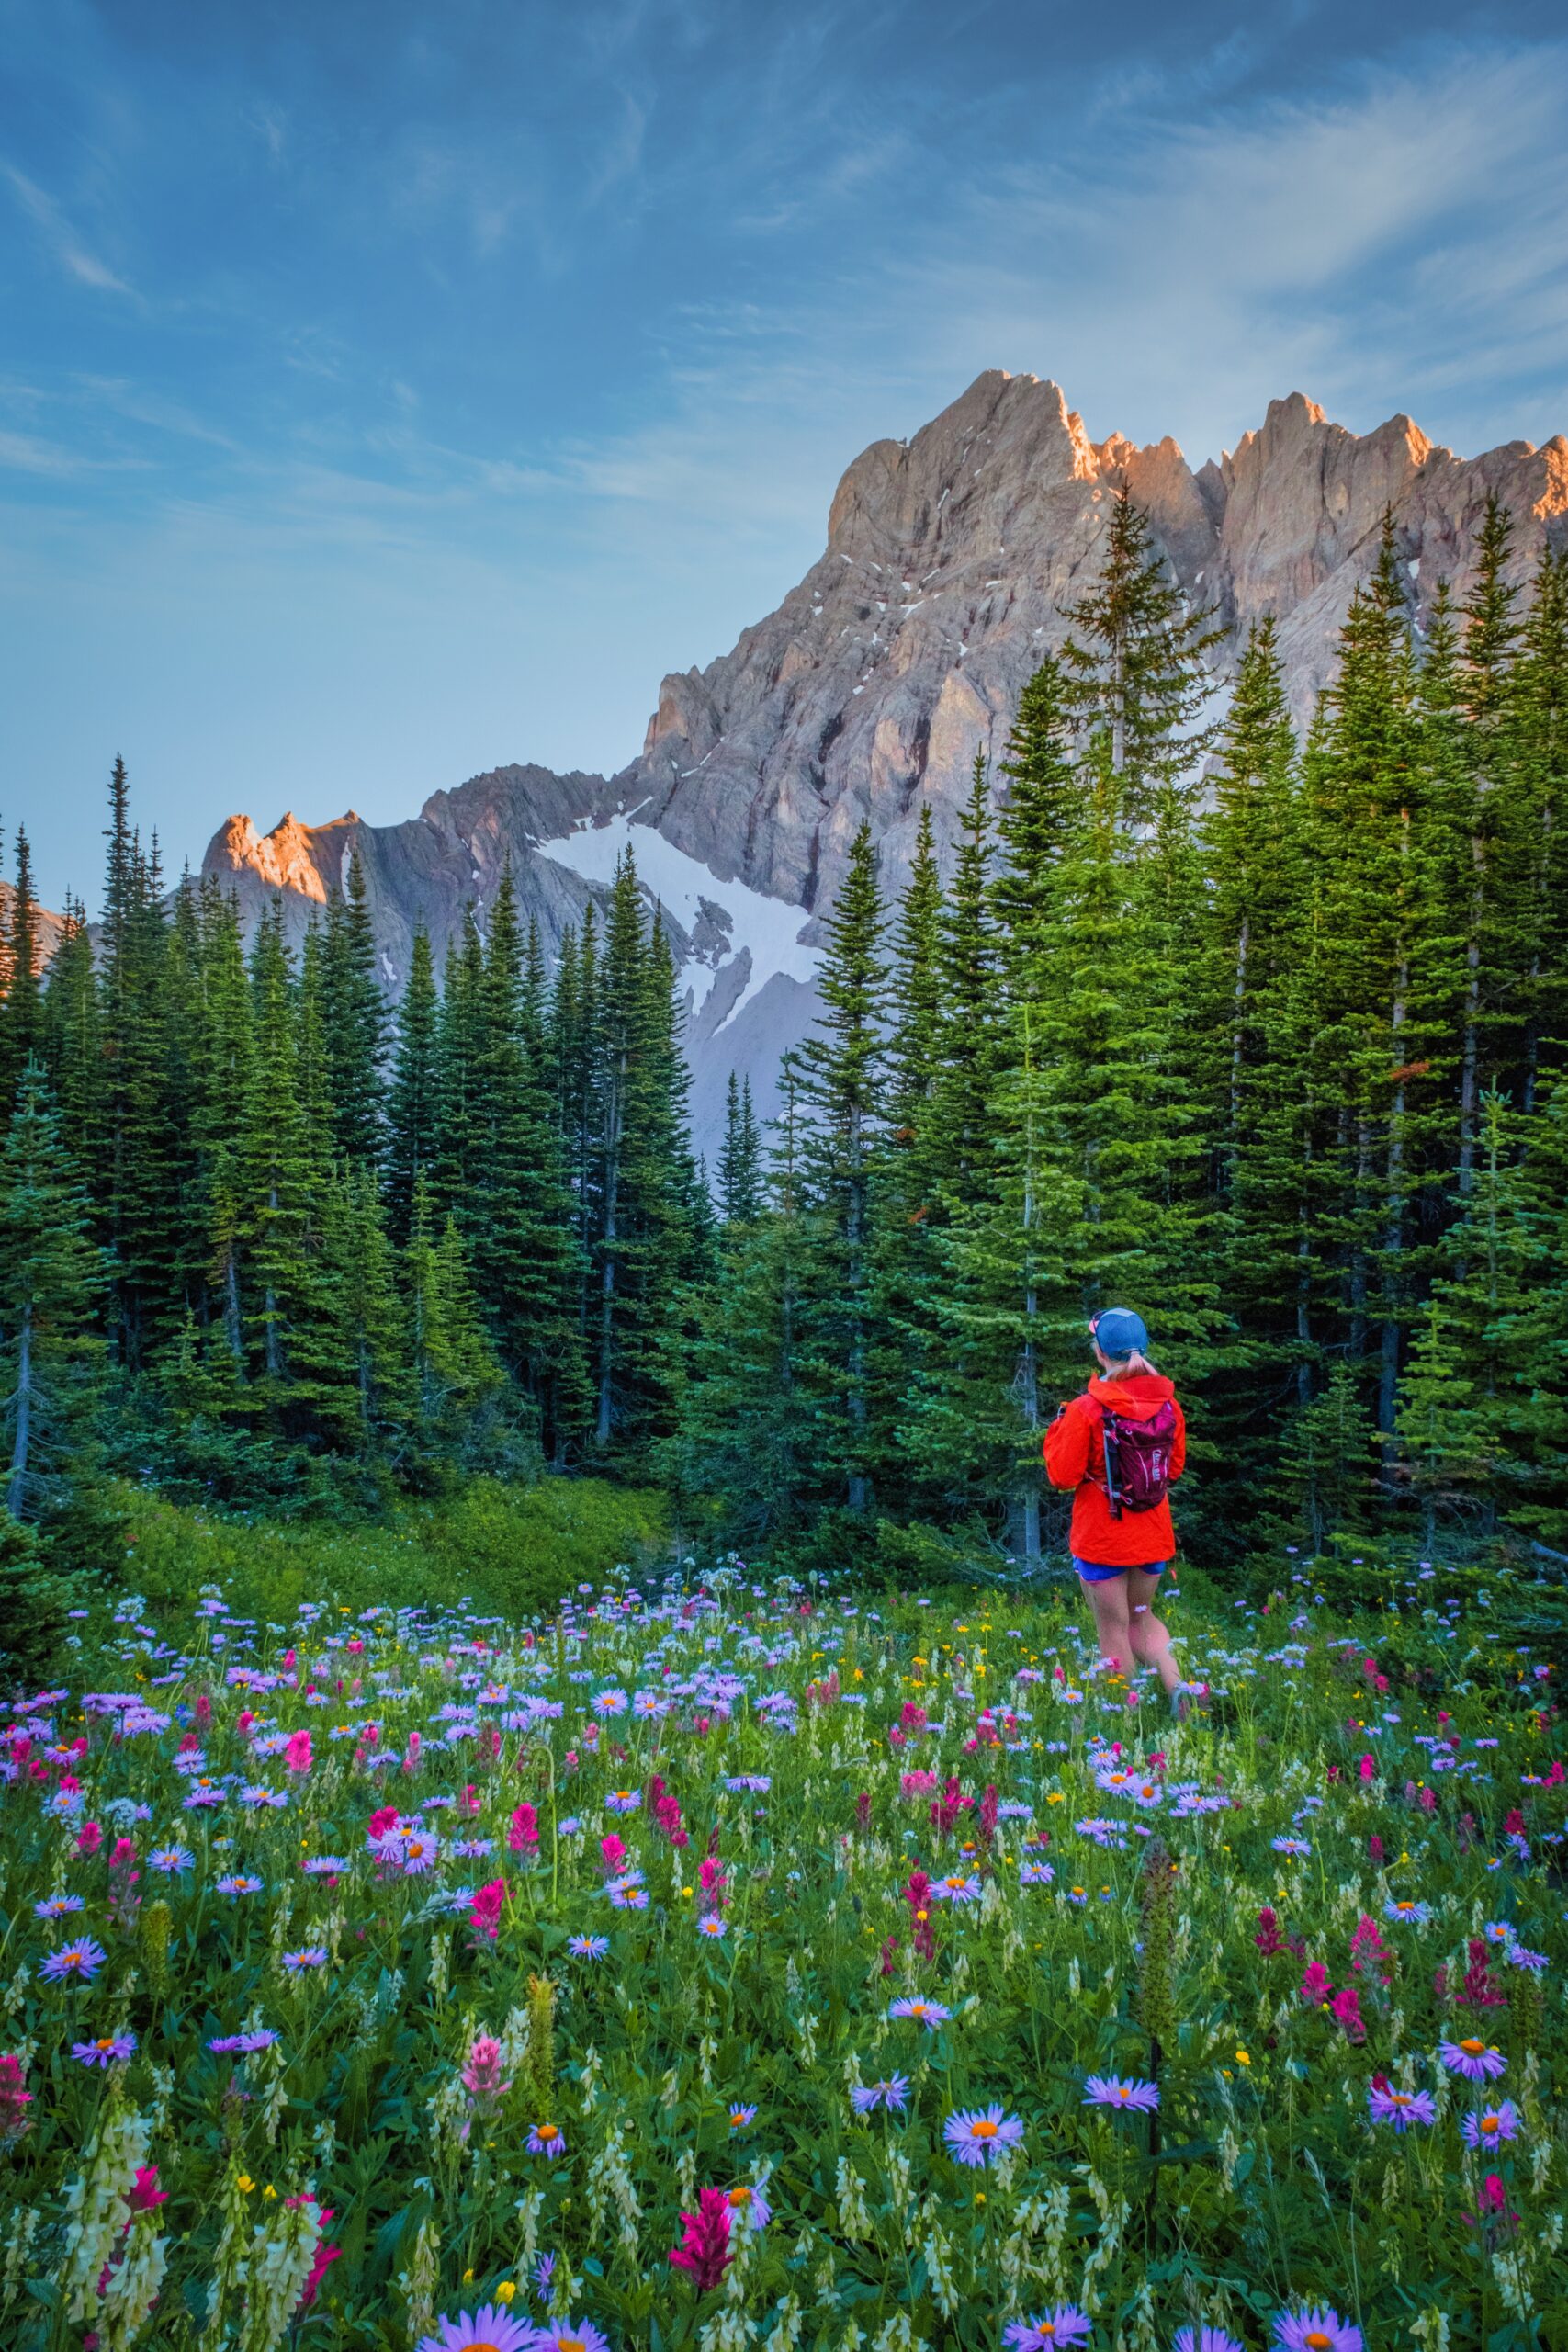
{"x": 389, "y": 392}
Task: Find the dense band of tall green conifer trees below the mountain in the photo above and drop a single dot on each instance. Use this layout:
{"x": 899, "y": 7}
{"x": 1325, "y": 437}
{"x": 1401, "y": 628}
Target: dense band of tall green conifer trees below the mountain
{"x": 1257, "y": 1029}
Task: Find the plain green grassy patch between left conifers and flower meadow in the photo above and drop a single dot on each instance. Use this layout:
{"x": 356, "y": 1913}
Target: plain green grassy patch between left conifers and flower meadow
{"x": 504, "y": 1549}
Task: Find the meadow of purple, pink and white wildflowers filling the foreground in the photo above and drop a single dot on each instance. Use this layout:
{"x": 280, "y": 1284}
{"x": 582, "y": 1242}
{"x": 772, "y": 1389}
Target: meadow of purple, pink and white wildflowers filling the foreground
{"x": 763, "y": 1965}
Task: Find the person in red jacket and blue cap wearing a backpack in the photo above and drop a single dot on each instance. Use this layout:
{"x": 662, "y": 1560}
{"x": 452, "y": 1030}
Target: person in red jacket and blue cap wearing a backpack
{"x": 1118, "y": 1448}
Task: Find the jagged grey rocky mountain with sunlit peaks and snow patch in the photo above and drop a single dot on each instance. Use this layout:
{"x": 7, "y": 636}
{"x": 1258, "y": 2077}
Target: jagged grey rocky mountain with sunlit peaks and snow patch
{"x": 871, "y": 686}
